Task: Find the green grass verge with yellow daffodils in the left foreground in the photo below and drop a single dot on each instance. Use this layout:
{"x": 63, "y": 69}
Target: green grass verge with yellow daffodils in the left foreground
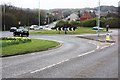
{"x": 33, "y": 46}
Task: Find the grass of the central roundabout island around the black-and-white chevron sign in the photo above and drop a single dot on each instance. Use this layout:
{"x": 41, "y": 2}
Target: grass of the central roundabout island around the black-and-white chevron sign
{"x": 80, "y": 30}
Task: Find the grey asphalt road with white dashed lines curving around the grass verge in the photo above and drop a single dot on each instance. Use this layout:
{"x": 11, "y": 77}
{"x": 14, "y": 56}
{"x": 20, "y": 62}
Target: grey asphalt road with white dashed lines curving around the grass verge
{"x": 75, "y": 58}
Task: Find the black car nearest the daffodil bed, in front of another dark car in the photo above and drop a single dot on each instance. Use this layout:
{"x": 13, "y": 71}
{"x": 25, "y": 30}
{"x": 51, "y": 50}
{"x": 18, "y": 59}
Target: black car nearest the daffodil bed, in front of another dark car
{"x": 21, "y": 32}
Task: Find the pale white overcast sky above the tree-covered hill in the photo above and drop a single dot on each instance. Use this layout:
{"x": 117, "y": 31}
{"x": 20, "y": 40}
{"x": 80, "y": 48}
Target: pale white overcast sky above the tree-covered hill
{"x": 51, "y": 4}
